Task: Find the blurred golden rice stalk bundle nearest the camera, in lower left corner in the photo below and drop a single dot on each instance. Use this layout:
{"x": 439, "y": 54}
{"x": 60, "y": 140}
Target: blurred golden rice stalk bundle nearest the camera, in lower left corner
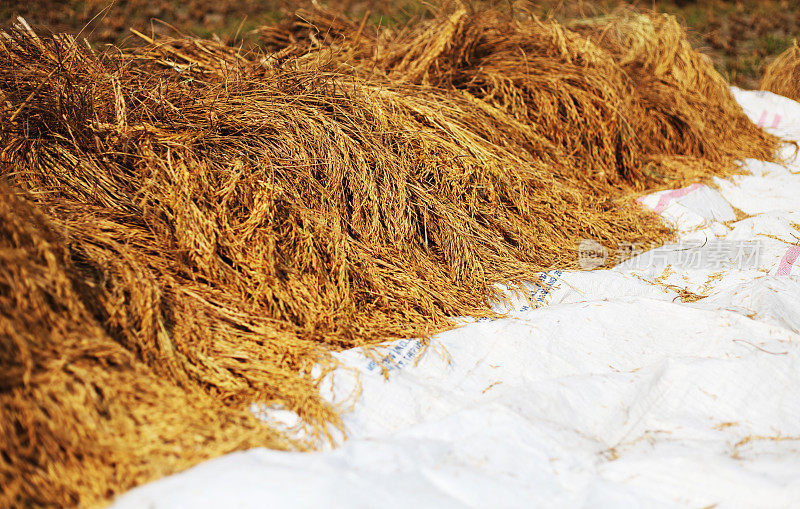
{"x": 82, "y": 418}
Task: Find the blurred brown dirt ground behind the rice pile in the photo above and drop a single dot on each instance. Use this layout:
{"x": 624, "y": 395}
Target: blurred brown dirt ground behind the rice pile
{"x": 740, "y": 36}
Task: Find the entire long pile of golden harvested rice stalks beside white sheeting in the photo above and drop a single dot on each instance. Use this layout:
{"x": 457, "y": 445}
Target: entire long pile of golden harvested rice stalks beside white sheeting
{"x": 187, "y": 230}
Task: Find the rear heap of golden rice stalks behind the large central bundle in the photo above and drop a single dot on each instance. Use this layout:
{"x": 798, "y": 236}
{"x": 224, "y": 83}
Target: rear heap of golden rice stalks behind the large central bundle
{"x": 624, "y": 96}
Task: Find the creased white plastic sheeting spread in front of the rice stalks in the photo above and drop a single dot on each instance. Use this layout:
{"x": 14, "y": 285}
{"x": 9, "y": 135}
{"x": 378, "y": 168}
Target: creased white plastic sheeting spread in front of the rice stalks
{"x": 617, "y": 393}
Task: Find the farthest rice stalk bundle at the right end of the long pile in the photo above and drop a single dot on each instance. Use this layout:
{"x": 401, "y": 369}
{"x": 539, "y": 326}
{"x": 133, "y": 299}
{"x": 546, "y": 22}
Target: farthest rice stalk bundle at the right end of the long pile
{"x": 682, "y": 109}
